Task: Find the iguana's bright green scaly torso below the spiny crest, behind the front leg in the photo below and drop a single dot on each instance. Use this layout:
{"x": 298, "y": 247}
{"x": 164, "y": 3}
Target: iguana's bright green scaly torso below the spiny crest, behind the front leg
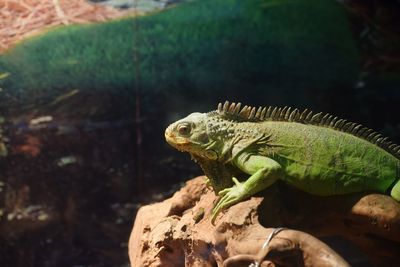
{"x": 326, "y": 161}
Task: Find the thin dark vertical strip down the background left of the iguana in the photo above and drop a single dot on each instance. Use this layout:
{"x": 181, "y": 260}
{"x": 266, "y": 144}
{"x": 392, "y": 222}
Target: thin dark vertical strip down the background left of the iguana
{"x": 137, "y": 88}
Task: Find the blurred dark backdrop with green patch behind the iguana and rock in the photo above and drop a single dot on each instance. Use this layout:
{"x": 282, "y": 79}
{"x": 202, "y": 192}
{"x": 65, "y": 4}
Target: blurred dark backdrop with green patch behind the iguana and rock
{"x": 88, "y": 87}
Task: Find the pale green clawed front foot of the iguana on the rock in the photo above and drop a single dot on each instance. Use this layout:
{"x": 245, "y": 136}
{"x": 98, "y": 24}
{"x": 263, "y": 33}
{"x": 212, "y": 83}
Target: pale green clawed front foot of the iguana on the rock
{"x": 230, "y": 196}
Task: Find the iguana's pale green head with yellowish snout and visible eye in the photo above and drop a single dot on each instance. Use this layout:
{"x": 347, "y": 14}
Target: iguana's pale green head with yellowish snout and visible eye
{"x": 190, "y": 134}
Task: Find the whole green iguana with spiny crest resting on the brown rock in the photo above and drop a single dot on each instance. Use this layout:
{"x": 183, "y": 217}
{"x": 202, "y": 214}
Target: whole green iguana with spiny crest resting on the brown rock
{"x": 317, "y": 153}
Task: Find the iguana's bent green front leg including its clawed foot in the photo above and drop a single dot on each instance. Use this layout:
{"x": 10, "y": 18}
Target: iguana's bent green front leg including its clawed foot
{"x": 264, "y": 172}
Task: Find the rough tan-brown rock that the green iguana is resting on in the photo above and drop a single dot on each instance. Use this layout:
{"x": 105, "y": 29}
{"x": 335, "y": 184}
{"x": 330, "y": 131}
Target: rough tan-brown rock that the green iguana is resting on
{"x": 178, "y": 231}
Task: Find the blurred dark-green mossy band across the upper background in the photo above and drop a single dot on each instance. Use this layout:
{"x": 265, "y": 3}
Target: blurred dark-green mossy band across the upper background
{"x": 204, "y": 48}
